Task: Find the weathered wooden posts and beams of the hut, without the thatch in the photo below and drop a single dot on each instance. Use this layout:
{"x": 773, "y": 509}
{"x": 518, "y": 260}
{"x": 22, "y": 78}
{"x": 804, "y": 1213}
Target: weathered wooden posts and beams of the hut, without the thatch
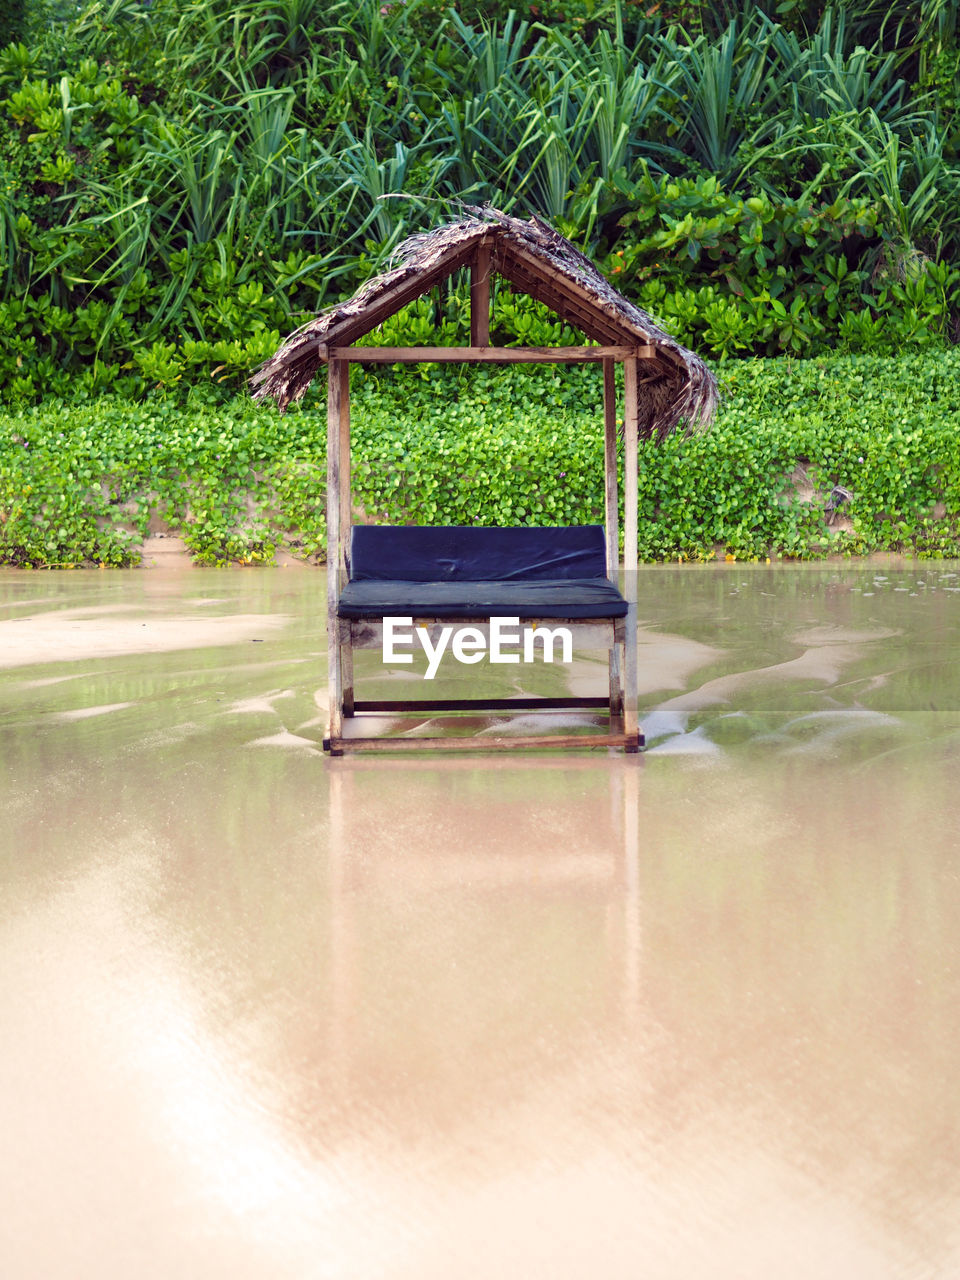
{"x": 616, "y": 636}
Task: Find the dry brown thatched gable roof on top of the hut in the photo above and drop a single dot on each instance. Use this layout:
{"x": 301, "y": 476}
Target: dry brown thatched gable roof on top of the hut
{"x": 675, "y": 385}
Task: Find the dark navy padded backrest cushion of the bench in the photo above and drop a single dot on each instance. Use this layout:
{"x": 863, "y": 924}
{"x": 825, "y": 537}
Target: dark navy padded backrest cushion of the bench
{"x": 459, "y": 554}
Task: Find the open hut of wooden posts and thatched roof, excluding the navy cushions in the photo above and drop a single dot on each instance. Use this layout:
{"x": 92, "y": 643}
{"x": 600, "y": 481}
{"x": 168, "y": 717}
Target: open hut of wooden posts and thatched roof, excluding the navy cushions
{"x": 664, "y": 385}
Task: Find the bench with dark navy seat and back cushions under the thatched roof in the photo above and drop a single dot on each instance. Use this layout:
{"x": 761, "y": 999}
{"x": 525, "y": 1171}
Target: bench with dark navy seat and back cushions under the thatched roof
{"x": 468, "y": 575}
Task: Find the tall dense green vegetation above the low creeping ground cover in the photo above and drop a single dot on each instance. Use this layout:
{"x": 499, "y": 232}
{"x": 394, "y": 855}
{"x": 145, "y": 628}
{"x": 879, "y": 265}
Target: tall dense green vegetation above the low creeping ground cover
{"x": 184, "y": 184}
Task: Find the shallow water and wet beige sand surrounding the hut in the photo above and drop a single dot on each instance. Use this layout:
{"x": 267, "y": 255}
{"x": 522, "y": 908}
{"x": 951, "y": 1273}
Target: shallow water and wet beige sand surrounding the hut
{"x": 688, "y": 1014}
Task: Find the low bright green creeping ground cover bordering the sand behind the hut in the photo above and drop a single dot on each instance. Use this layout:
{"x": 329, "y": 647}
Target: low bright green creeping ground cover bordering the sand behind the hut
{"x": 80, "y": 483}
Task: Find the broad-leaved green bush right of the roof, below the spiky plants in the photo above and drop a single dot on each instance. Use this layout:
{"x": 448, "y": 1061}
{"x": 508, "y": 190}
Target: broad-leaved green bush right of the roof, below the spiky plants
{"x": 755, "y": 276}
